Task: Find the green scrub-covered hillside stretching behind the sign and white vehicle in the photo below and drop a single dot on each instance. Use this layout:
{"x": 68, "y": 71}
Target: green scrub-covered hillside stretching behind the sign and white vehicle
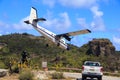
{"x": 13, "y": 45}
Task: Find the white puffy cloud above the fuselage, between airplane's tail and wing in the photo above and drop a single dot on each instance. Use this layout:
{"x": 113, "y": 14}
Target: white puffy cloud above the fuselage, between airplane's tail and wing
{"x": 61, "y": 23}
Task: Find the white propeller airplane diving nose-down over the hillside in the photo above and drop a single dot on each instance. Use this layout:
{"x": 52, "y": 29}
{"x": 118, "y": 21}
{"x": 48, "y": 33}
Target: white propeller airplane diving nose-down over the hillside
{"x": 59, "y": 39}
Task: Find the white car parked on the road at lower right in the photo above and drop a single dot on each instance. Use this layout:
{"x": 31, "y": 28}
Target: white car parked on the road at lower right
{"x": 92, "y": 69}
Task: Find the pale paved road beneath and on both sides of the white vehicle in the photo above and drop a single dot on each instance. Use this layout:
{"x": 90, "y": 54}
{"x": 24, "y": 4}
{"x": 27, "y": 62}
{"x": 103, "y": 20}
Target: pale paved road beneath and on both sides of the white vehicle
{"x": 79, "y": 77}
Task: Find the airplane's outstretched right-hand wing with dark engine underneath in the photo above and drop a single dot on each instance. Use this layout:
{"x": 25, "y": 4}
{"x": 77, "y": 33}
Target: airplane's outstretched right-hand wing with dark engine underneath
{"x": 67, "y": 35}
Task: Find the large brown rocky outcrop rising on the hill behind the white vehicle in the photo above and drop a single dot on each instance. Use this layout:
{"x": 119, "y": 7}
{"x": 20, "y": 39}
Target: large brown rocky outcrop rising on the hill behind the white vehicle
{"x": 101, "y": 47}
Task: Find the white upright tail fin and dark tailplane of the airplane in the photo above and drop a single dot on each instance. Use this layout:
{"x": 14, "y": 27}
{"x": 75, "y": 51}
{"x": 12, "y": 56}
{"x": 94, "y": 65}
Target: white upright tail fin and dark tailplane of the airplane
{"x": 33, "y": 18}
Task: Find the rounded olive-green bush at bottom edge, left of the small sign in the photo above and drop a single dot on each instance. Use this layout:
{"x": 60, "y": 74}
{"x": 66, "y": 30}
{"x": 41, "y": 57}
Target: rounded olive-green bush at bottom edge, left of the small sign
{"x": 26, "y": 75}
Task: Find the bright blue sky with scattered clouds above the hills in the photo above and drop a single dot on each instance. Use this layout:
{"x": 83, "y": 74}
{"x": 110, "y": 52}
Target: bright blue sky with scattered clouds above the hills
{"x": 102, "y": 17}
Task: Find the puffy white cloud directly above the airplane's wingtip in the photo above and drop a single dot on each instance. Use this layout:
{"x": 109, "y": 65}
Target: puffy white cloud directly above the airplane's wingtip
{"x": 97, "y": 24}
